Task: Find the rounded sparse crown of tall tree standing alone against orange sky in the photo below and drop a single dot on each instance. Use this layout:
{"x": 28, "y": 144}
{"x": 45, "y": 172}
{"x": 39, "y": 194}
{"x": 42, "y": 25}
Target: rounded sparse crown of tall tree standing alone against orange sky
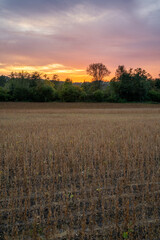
{"x": 98, "y": 71}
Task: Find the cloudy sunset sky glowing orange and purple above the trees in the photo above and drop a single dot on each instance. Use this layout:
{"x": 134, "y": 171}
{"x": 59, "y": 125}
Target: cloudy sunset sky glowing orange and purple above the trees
{"x": 64, "y": 36}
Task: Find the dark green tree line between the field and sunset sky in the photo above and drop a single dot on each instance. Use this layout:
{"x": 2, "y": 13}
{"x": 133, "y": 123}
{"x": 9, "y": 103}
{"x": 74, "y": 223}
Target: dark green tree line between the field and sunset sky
{"x": 133, "y": 85}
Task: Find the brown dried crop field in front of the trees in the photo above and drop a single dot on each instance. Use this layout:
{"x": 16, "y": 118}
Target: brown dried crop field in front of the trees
{"x": 79, "y": 171}
